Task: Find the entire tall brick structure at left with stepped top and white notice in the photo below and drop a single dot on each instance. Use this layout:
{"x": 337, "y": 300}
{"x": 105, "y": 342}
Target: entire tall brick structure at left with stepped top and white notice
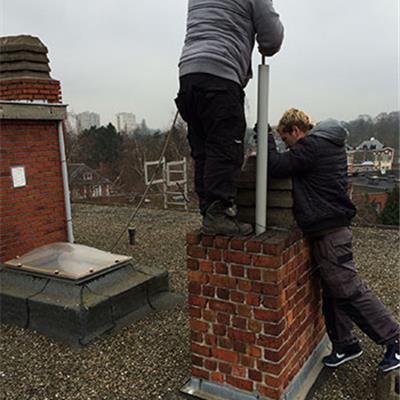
{"x": 32, "y": 207}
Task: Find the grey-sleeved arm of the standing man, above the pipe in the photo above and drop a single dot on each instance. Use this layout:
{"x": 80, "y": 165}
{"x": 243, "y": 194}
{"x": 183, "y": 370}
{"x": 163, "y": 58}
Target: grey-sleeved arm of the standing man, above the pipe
{"x": 268, "y": 27}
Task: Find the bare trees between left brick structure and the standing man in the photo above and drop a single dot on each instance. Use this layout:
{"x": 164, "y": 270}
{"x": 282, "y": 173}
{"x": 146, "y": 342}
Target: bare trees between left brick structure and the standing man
{"x": 121, "y": 157}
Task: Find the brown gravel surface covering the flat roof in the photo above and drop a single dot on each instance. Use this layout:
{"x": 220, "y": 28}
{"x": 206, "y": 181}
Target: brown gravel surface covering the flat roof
{"x": 150, "y": 358}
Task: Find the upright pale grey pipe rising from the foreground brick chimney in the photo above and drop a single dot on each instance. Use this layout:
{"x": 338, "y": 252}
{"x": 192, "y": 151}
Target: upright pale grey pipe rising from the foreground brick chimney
{"x": 262, "y": 148}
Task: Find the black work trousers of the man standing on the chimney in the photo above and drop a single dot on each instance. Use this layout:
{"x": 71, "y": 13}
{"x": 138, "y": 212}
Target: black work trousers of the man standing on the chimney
{"x": 214, "y": 111}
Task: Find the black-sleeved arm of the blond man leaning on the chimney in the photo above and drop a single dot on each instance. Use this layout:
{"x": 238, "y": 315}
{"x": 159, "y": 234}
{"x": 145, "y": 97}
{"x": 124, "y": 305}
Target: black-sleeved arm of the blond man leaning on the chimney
{"x": 297, "y": 161}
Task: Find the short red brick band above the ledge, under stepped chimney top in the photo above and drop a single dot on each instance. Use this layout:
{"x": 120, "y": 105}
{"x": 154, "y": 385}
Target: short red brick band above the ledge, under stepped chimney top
{"x": 31, "y": 89}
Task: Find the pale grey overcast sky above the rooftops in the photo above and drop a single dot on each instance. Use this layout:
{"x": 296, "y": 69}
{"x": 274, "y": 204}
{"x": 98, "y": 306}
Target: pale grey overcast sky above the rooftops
{"x": 339, "y": 58}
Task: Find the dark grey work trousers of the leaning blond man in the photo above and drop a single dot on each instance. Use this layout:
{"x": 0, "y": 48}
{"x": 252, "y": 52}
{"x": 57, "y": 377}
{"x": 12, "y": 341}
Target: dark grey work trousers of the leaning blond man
{"x": 345, "y": 297}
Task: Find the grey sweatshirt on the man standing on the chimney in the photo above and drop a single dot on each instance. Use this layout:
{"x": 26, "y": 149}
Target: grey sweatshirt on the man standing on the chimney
{"x": 221, "y": 34}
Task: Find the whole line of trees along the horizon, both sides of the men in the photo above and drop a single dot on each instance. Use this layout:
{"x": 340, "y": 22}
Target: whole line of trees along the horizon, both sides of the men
{"x": 121, "y": 157}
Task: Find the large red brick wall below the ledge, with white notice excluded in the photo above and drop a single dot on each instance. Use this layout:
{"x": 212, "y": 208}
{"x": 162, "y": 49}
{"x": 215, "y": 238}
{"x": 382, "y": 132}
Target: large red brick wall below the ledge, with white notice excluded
{"x": 33, "y": 215}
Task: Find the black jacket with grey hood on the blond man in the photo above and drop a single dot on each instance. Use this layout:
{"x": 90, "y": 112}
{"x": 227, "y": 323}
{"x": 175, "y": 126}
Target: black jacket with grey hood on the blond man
{"x": 318, "y": 166}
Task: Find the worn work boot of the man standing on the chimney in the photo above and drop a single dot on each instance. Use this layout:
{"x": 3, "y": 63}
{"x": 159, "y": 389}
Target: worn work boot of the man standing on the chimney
{"x": 221, "y": 220}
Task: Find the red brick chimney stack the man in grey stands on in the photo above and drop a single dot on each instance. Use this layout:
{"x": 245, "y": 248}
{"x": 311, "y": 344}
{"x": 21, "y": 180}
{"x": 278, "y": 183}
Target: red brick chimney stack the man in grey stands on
{"x": 255, "y": 310}
